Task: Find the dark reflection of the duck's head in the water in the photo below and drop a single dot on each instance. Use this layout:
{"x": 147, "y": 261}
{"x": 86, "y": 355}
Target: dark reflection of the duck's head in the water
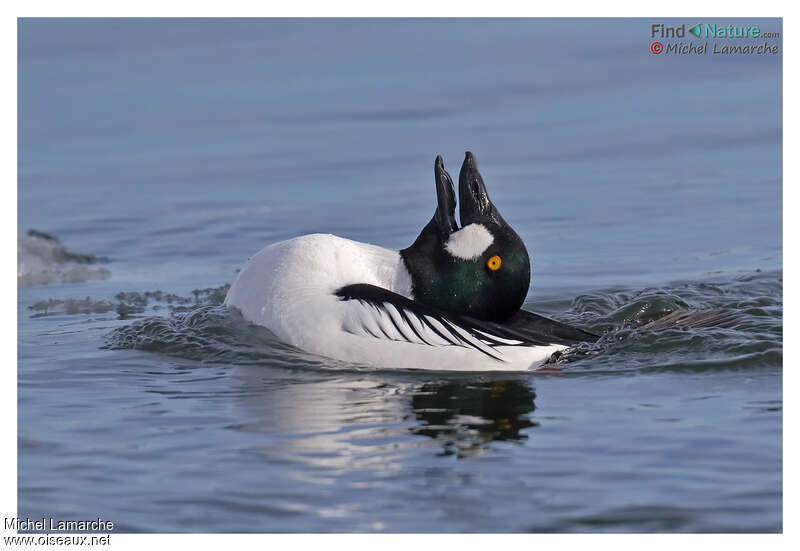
{"x": 465, "y": 417}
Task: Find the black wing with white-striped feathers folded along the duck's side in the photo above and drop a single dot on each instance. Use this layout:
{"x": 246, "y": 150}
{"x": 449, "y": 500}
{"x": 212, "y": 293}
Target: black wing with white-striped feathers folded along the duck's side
{"x": 393, "y": 316}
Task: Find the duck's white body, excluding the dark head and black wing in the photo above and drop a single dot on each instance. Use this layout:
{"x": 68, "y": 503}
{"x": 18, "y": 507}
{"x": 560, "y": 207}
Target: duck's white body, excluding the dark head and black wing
{"x": 289, "y": 288}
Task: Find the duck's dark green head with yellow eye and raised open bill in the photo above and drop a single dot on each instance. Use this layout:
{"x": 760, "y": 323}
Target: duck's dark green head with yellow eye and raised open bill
{"x": 480, "y": 270}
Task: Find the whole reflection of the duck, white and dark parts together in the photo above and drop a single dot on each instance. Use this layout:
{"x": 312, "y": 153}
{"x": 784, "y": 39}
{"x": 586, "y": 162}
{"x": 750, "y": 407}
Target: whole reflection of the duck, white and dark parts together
{"x": 352, "y": 420}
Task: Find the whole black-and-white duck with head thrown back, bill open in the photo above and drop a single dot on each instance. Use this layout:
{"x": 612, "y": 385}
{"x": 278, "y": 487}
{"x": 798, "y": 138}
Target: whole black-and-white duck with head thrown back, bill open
{"x": 451, "y": 301}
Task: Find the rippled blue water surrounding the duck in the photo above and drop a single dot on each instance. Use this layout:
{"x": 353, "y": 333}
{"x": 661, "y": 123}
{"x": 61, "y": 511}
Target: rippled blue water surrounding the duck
{"x": 177, "y": 149}
